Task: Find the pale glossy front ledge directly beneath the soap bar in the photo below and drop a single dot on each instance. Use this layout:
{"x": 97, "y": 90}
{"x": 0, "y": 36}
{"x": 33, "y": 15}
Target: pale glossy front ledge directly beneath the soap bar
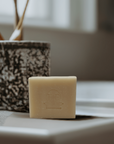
{"x": 19, "y": 128}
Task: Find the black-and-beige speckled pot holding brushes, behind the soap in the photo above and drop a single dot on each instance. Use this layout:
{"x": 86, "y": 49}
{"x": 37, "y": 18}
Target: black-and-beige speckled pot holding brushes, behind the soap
{"x": 20, "y": 60}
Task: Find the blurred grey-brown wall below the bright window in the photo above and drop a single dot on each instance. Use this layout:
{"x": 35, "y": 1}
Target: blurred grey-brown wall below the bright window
{"x": 88, "y": 56}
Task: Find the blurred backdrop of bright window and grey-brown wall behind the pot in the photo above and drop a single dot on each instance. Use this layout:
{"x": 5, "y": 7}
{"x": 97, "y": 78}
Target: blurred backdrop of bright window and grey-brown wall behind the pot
{"x": 81, "y": 33}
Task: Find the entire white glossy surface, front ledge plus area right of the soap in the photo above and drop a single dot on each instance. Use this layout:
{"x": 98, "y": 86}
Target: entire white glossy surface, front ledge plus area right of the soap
{"x": 93, "y": 98}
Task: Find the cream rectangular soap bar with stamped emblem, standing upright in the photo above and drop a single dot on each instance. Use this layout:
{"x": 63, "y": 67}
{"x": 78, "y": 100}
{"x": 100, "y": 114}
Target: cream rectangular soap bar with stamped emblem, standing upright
{"x": 52, "y": 97}
